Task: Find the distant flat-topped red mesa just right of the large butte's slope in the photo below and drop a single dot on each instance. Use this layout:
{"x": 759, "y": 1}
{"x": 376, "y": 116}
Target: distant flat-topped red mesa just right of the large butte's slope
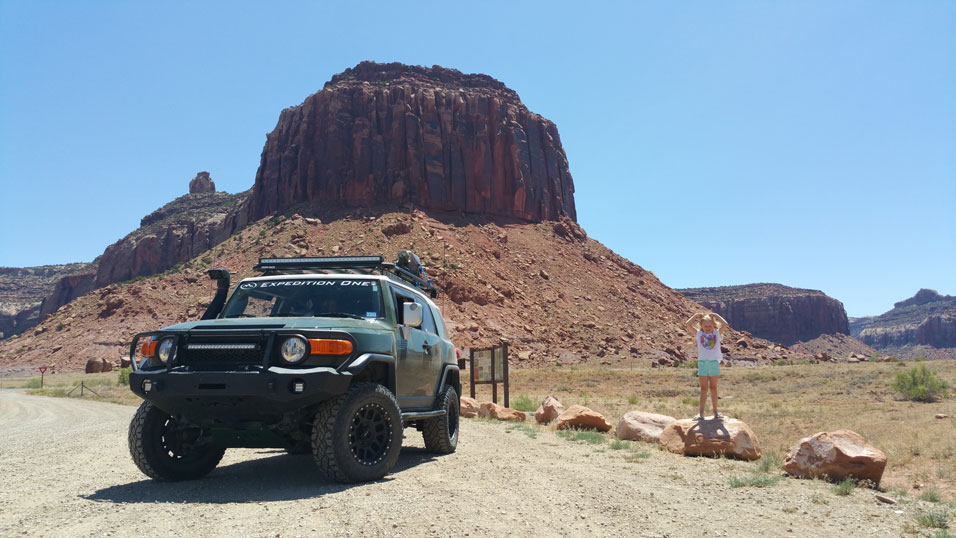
{"x": 778, "y": 313}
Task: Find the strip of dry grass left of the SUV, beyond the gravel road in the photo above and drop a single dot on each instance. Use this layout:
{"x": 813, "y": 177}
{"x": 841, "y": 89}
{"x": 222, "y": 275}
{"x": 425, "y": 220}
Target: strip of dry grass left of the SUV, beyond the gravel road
{"x": 58, "y": 385}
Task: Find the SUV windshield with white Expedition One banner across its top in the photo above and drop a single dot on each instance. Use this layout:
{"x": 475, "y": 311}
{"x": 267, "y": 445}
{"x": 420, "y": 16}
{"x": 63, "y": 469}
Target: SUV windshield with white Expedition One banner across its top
{"x": 336, "y": 298}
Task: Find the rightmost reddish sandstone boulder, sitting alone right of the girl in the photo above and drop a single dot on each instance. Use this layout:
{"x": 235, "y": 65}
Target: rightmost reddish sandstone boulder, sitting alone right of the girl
{"x": 836, "y": 455}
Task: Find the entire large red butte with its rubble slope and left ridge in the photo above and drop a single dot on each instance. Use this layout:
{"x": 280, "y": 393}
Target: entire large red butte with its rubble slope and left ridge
{"x": 387, "y": 158}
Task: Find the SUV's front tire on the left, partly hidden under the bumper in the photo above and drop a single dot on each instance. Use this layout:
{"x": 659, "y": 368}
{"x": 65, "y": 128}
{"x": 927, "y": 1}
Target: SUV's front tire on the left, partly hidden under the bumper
{"x": 154, "y": 448}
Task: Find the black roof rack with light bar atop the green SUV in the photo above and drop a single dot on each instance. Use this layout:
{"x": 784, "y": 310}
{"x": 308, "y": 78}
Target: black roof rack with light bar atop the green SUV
{"x": 343, "y": 264}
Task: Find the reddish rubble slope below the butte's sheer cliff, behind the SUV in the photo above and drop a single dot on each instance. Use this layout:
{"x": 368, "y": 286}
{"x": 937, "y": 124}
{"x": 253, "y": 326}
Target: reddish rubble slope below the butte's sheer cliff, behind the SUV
{"x": 556, "y": 294}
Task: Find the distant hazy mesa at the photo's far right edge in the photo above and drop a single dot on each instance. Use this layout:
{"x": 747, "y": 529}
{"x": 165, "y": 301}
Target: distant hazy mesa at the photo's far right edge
{"x": 927, "y": 319}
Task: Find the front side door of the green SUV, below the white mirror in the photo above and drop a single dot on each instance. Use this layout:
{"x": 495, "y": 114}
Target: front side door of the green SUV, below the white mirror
{"x": 412, "y": 390}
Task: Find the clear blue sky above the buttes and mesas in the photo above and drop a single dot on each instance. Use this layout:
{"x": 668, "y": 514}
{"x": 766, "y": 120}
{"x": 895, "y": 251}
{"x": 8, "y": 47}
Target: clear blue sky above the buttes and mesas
{"x": 807, "y": 143}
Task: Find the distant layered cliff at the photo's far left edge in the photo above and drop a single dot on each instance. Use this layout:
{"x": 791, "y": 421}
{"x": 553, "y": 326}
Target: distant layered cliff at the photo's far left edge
{"x": 23, "y": 290}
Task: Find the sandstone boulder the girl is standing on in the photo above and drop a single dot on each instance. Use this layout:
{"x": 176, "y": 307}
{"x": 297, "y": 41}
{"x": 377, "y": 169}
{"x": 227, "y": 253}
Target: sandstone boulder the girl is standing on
{"x": 712, "y": 437}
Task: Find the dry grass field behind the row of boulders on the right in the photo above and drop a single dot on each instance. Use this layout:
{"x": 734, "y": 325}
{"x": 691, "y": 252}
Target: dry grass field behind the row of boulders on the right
{"x": 782, "y": 404}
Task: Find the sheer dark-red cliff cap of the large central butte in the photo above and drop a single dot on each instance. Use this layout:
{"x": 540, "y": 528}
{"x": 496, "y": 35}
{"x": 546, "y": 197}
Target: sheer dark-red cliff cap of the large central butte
{"x": 385, "y": 134}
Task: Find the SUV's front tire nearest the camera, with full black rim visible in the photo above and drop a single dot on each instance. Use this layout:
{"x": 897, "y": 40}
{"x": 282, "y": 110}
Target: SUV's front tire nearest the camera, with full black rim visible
{"x": 357, "y": 437}
